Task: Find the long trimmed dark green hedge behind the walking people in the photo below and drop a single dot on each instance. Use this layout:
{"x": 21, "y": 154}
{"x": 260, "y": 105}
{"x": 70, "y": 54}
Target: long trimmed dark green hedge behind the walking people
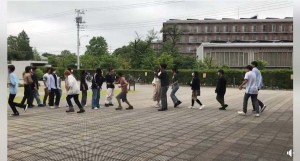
{"x": 275, "y": 79}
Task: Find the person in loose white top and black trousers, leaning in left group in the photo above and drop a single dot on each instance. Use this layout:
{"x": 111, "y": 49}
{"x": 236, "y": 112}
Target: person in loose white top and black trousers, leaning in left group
{"x": 72, "y": 92}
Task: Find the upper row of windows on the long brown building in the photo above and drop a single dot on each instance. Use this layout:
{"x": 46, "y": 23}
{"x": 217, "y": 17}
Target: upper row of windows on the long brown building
{"x": 238, "y": 28}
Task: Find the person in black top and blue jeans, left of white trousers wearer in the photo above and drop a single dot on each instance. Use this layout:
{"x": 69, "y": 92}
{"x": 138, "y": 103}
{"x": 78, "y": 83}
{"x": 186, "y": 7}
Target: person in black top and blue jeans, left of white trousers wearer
{"x": 97, "y": 82}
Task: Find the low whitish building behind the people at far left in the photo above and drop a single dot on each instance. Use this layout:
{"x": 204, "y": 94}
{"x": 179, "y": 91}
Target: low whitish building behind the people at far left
{"x": 20, "y": 66}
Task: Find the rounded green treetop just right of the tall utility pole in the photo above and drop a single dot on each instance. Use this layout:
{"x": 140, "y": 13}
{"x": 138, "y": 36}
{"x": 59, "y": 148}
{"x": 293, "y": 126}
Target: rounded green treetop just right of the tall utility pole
{"x": 97, "y": 46}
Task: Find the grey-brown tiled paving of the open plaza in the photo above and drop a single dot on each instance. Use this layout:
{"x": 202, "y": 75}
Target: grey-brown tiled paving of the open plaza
{"x": 145, "y": 134}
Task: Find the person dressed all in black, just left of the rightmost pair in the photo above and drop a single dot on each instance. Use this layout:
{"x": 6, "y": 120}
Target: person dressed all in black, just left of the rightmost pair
{"x": 221, "y": 89}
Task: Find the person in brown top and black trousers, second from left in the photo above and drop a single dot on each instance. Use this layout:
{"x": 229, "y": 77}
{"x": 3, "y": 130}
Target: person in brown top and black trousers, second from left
{"x": 28, "y": 94}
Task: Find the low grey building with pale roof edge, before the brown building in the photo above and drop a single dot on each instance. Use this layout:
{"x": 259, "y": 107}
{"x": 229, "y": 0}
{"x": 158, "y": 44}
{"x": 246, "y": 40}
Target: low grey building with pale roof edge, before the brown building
{"x": 277, "y": 54}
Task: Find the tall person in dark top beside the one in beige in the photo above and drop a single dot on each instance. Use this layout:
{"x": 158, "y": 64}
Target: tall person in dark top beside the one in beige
{"x": 164, "y": 79}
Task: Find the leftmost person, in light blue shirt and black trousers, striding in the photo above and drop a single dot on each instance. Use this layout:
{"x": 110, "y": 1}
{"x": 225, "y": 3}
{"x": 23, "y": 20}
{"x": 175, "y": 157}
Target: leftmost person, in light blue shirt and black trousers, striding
{"x": 13, "y": 84}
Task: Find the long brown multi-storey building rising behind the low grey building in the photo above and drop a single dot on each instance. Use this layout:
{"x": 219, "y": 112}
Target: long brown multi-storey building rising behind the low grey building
{"x": 195, "y": 32}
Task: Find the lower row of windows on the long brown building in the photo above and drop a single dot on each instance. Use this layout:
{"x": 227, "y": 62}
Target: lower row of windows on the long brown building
{"x": 199, "y": 39}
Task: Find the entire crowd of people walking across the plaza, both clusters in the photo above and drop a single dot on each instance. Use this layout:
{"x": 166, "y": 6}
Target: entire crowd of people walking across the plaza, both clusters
{"x": 161, "y": 83}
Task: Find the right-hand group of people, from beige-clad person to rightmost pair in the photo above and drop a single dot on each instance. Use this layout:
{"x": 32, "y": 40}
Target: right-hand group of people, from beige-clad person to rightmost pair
{"x": 252, "y": 82}
